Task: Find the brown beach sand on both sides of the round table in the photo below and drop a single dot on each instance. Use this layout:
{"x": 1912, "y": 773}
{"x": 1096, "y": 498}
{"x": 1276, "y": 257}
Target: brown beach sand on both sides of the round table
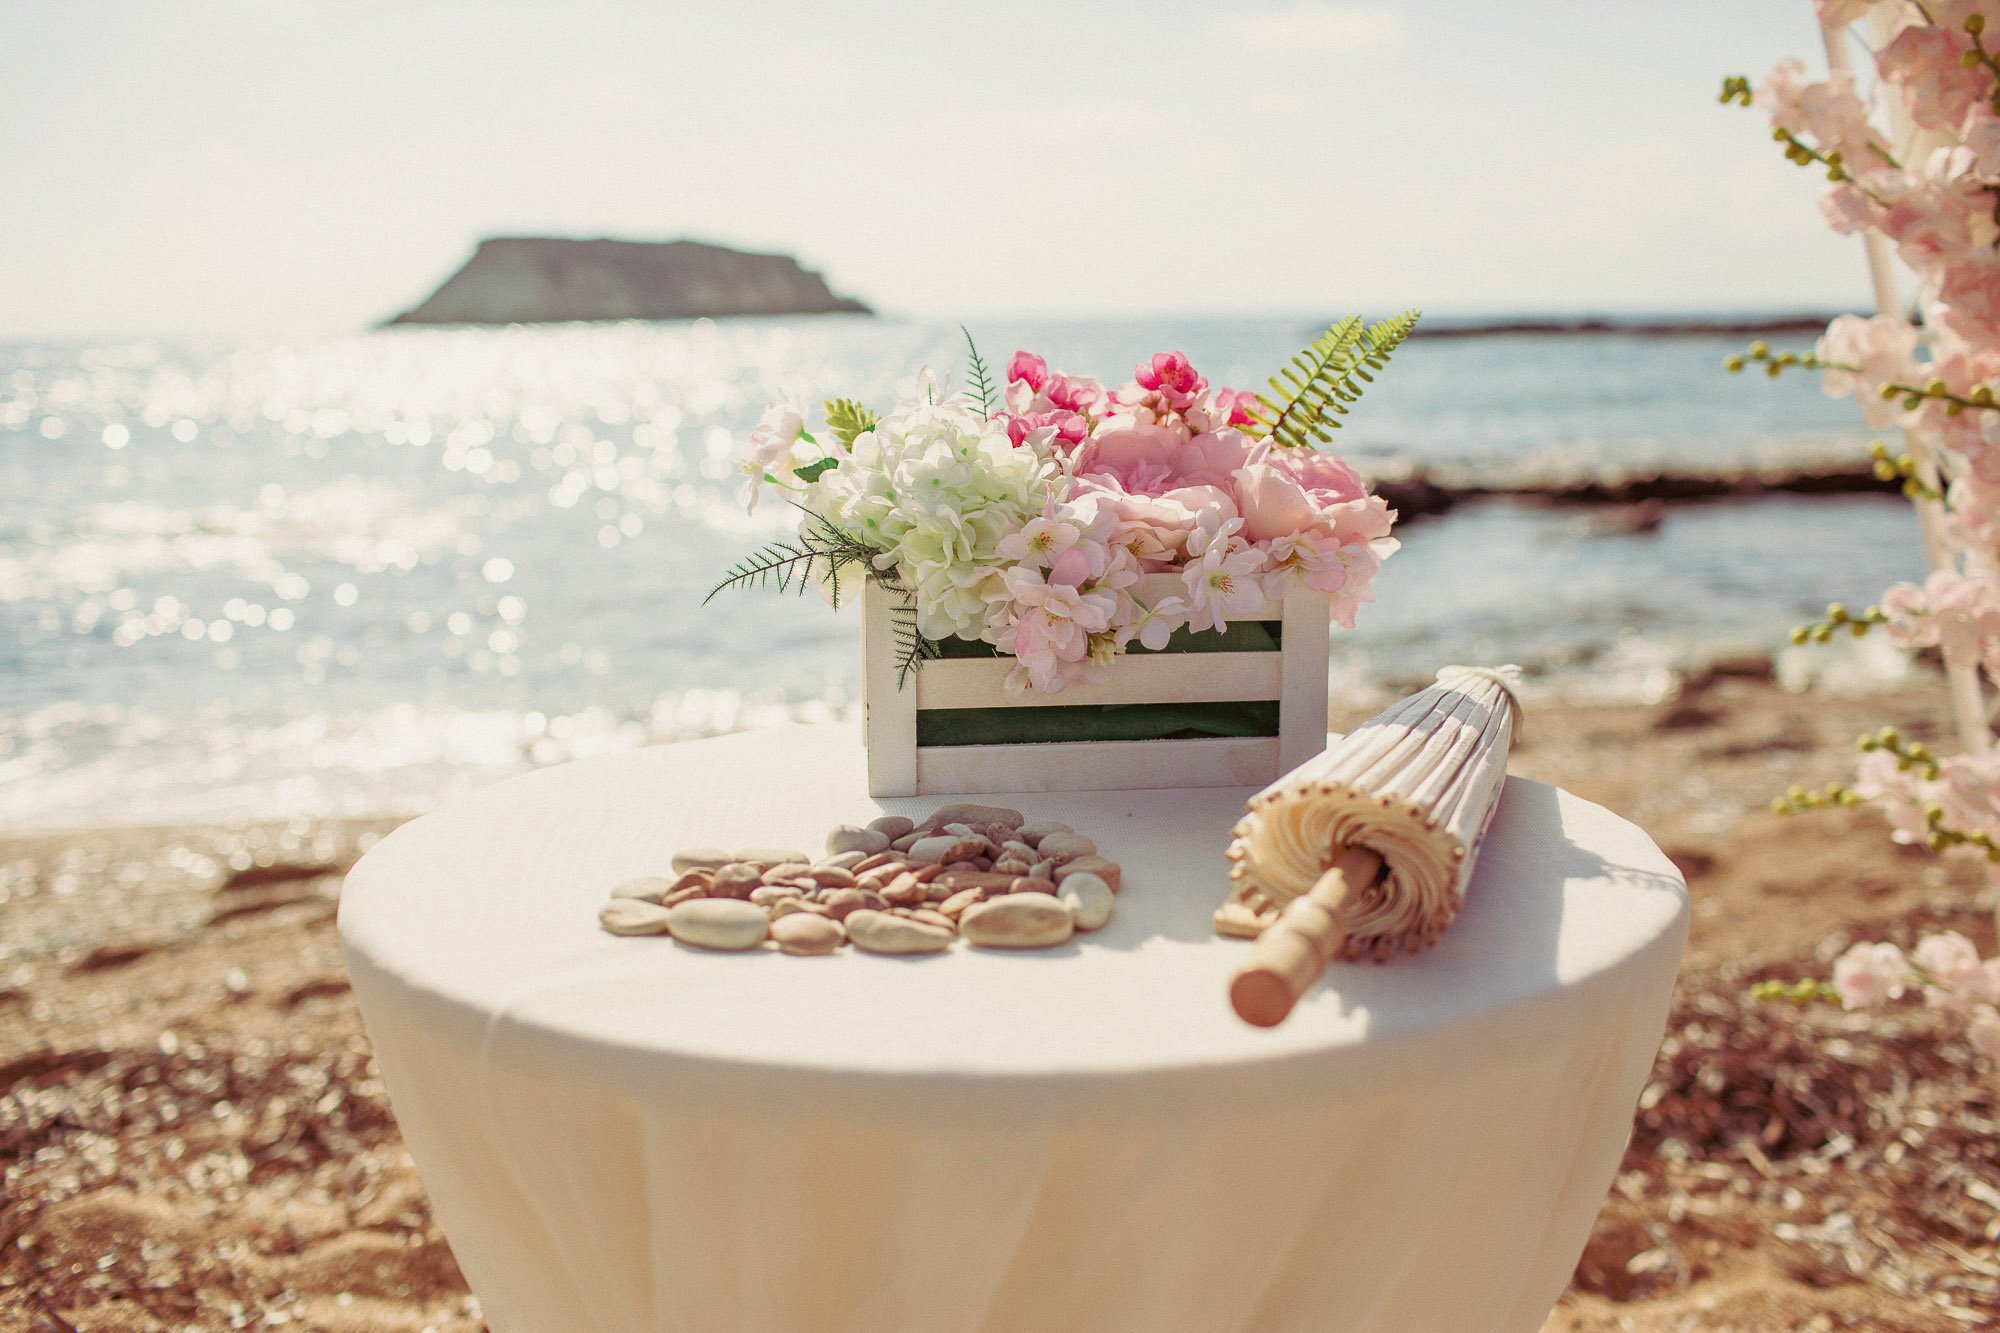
{"x": 195, "y": 1138}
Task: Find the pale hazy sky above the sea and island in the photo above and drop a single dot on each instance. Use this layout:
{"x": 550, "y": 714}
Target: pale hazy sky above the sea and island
{"x": 299, "y": 165}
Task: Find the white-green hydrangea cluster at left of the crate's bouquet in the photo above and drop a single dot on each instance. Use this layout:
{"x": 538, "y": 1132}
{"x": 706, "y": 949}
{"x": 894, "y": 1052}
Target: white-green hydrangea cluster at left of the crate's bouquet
{"x": 937, "y": 487}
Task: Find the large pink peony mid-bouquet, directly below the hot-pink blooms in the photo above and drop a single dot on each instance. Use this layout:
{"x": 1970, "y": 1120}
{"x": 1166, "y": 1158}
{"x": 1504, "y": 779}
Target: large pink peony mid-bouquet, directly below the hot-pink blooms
{"x": 1161, "y": 481}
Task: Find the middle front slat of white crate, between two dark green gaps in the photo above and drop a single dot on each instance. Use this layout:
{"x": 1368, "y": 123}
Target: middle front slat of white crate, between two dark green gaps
{"x": 1171, "y": 678}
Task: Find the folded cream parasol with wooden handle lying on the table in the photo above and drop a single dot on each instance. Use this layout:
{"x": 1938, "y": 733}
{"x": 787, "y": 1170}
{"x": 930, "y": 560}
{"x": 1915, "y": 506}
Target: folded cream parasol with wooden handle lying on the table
{"x": 1367, "y": 850}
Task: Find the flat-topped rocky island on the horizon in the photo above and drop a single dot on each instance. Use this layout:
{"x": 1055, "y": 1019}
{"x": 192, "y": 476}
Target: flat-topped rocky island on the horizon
{"x": 551, "y": 279}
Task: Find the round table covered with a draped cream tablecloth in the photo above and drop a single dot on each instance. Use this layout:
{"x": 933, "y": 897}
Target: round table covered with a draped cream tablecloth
{"x": 627, "y": 1134}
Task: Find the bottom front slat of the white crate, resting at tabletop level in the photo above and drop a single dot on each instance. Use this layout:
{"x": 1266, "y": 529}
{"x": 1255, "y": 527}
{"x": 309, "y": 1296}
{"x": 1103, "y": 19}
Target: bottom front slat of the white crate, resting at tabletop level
{"x": 1097, "y": 766}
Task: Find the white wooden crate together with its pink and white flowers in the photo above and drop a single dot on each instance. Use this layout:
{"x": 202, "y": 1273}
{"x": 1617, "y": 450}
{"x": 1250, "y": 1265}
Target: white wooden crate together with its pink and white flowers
{"x": 1077, "y": 587}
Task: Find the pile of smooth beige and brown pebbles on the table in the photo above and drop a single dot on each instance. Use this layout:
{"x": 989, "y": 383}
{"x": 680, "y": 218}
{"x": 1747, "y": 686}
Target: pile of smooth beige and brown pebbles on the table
{"x": 969, "y": 872}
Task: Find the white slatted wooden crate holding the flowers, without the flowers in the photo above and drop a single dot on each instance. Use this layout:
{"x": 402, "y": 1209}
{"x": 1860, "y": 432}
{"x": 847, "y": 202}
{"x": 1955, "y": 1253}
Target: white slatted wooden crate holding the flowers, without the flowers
{"x": 1295, "y": 676}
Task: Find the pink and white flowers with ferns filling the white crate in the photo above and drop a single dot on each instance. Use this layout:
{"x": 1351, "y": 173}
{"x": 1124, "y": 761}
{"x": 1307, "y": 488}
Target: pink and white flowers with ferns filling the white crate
{"x": 1025, "y": 515}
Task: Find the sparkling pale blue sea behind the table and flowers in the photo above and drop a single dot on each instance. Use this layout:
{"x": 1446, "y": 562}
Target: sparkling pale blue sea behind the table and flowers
{"x": 353, "y": 575}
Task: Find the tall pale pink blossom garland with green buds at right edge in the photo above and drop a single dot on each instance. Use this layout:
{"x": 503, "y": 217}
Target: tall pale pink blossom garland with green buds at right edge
{"x": 1913, "y": 165}
